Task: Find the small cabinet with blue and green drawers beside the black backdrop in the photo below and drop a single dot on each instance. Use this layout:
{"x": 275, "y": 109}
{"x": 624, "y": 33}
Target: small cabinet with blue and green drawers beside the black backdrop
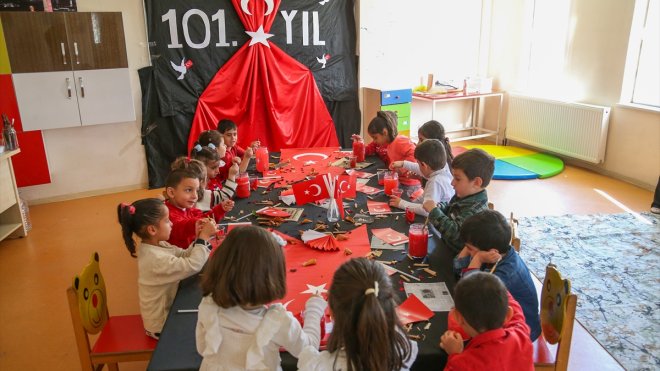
{"x": 375, "y": 100}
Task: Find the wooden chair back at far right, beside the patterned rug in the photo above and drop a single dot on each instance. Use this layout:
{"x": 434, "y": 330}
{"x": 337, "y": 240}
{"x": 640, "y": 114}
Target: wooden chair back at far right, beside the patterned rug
{"x": 557, "y": 319}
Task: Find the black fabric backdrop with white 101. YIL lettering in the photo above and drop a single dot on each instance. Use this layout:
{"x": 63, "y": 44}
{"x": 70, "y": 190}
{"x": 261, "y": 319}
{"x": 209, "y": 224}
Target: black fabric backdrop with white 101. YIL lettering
{"x": 191, "y": 40}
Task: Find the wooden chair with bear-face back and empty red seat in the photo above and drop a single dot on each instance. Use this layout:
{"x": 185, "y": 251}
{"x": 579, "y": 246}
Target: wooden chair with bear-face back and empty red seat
{"x": 121, "y": 338}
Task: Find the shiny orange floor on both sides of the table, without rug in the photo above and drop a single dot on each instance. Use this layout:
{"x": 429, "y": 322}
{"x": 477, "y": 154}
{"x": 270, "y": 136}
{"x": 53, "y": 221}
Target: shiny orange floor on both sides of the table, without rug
{"x": 35, "y": 325}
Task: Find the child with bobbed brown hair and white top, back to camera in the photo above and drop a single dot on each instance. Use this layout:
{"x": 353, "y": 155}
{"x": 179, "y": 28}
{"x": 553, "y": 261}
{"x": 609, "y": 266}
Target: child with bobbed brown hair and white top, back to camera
{"x": 235, "y": 328}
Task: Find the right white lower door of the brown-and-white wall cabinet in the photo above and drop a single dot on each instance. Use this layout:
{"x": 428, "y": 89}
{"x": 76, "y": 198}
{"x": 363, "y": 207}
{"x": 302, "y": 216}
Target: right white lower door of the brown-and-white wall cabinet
{"x": 104, "y": 96}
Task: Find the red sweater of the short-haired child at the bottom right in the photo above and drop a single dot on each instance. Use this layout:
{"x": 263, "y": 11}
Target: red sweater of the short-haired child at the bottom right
{"x": 506, "y": 348}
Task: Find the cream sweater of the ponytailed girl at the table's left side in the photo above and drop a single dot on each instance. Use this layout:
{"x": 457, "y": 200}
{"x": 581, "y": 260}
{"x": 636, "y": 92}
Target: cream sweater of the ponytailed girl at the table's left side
{"x": 160, "y": 268}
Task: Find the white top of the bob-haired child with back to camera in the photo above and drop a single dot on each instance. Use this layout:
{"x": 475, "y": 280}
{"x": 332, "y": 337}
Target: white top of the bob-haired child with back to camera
{"x": 239, "y": 339}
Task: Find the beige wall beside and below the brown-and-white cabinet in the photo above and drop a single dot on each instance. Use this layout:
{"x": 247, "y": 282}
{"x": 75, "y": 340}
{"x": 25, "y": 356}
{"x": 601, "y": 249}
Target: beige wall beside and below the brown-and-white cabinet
{"x": 101, "y": 158}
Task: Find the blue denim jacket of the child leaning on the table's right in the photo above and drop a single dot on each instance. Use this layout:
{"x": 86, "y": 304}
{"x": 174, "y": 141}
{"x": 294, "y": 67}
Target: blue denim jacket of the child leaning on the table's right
{"x": 517, "y": 279}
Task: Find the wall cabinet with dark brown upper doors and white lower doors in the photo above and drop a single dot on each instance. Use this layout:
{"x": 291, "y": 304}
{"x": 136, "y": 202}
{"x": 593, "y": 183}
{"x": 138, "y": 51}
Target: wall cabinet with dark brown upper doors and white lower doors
{"x": 68, "y": 69}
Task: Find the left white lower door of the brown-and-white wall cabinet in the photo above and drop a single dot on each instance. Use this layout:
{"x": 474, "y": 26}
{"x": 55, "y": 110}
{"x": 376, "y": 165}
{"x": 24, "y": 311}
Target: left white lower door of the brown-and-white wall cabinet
{"x": 47, "y": 100}
